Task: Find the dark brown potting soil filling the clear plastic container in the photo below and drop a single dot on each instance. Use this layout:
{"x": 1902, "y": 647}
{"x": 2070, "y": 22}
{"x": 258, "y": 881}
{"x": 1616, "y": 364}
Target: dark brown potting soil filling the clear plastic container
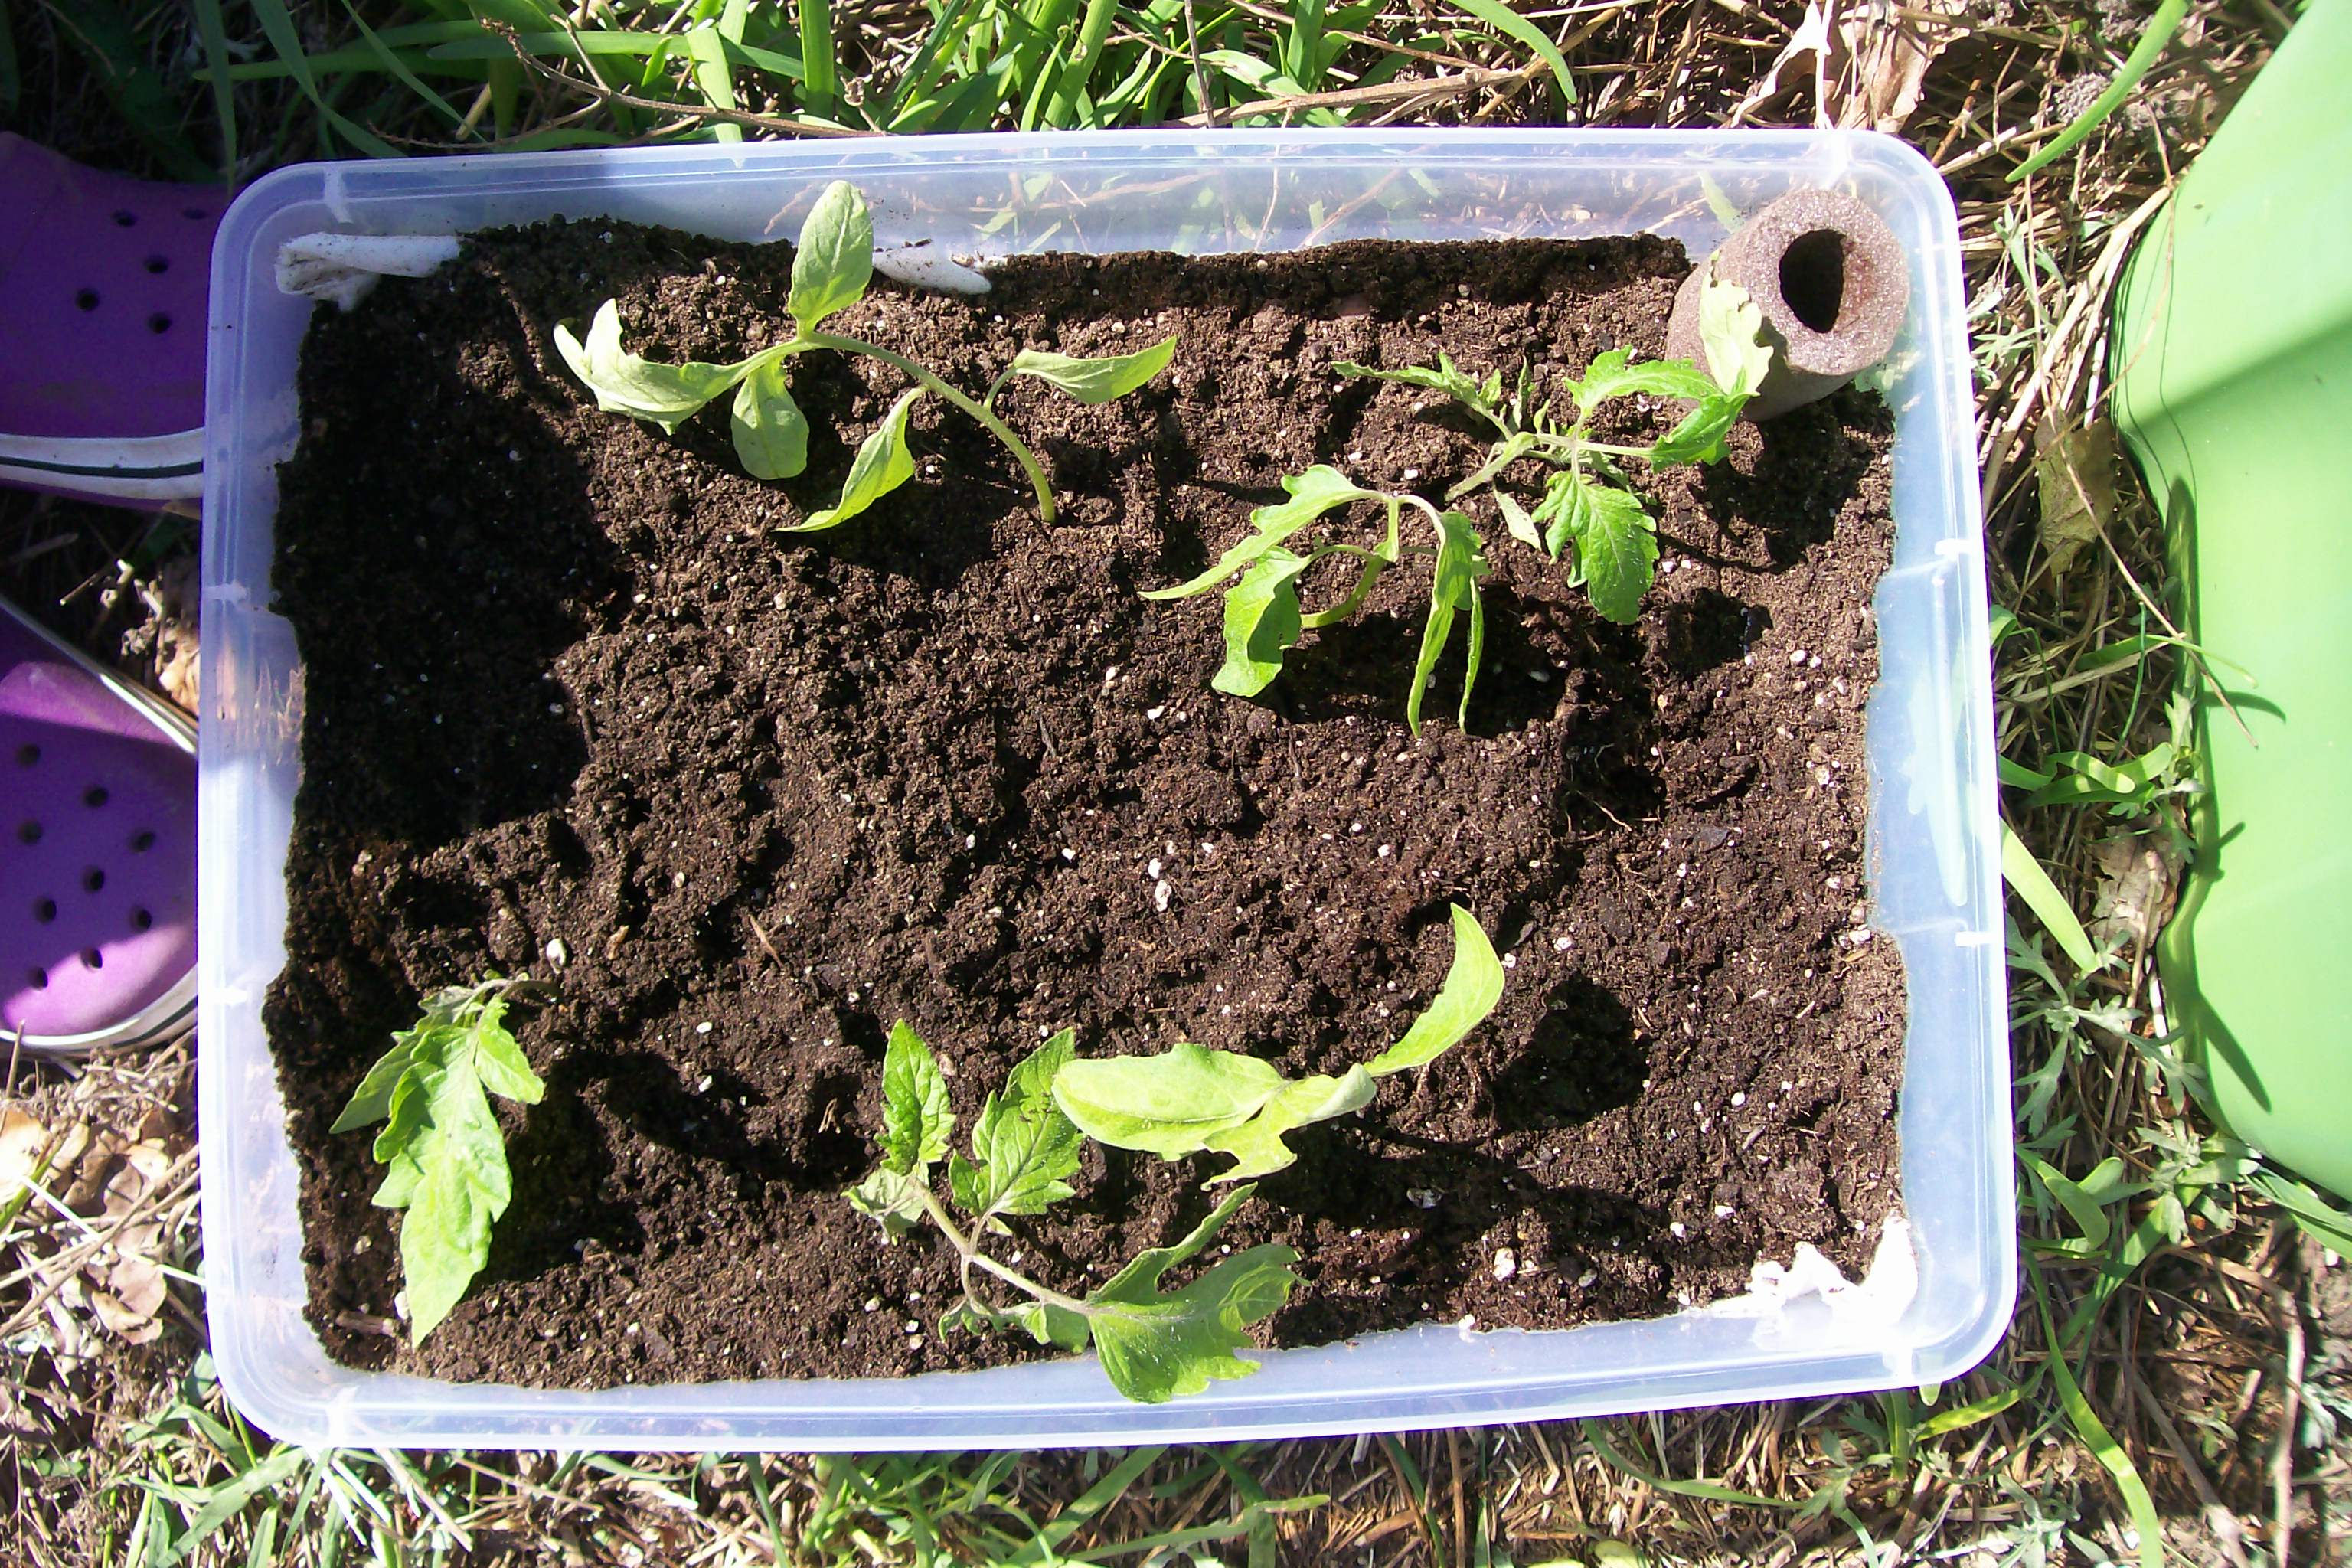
{"x": 570, "y": 695}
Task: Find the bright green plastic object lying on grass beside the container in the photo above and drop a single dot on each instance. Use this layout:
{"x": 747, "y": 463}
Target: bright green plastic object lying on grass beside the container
{"x": 2233, "y": 387}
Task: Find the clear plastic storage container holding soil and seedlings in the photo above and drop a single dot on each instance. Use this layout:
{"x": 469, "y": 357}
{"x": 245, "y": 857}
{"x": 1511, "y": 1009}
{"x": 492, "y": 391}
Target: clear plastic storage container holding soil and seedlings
{"x": 1932, "y": 803}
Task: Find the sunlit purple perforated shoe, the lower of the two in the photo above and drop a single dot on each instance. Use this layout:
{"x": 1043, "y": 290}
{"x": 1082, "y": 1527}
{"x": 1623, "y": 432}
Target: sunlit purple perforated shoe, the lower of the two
{"x": 98, "y": 852}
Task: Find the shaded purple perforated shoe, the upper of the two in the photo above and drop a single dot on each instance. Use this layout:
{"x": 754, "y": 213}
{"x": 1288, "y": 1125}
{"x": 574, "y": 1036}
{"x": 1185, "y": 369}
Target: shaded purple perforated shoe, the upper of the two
{"x": 102, "y": 330}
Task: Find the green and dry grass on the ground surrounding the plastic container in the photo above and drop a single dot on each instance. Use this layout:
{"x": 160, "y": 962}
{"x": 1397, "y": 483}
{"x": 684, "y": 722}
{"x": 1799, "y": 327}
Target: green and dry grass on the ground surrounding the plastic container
{"x": 2165, "y": 1388}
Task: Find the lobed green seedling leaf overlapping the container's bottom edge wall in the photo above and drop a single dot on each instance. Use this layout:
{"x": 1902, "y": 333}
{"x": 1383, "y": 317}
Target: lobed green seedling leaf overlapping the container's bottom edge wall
{"x": 1158, "y": 1346}
